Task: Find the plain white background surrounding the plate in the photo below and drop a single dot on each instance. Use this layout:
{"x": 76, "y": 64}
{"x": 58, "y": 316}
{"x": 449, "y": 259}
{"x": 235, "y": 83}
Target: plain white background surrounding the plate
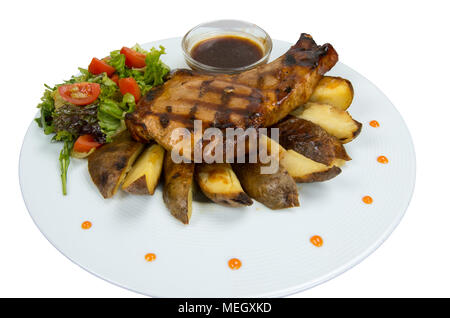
{"x": 401, "y": 46}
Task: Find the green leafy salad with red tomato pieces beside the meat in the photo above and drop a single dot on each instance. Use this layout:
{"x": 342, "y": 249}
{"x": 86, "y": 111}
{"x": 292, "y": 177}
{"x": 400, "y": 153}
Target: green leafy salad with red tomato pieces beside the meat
{"x": 88, "y": 110}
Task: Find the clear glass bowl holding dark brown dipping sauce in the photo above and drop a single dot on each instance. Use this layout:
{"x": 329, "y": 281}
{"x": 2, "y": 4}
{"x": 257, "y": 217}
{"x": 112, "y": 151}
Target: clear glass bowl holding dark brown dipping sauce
{"x": 226, "y": 46}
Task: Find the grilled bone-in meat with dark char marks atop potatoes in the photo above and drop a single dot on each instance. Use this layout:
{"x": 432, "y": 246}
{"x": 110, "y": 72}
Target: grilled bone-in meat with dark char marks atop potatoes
{"x": 256, "y": 98}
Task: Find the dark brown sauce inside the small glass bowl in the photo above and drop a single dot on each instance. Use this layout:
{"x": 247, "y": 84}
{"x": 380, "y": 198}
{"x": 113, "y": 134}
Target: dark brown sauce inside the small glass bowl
{"x": 227, "y": 52}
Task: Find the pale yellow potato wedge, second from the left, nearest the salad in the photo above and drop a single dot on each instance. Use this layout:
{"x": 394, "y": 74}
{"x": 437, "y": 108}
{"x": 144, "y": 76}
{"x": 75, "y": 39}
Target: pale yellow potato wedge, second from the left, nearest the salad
{"x": 144, "y": 175}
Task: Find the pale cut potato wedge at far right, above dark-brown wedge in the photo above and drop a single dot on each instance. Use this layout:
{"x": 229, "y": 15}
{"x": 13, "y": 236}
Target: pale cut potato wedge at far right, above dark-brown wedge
{"x": 335, "y": 121}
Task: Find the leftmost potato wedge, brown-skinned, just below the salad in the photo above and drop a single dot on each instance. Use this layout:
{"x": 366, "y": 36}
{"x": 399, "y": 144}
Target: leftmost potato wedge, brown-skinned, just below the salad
{"x": 109, "y": 164}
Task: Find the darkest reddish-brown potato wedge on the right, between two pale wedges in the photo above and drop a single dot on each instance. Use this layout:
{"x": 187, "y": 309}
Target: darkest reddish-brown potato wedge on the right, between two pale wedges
{"x": 310, "y": 140}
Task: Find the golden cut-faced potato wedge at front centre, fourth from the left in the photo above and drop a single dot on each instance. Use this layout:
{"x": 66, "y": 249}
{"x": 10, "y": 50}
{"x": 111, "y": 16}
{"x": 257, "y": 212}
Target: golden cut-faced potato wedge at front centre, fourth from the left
{"x": 219, "y": 183}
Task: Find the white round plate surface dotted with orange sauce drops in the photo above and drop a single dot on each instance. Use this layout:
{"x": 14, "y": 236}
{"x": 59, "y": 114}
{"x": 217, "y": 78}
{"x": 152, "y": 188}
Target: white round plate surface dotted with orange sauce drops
{"x": 274, "y": 246}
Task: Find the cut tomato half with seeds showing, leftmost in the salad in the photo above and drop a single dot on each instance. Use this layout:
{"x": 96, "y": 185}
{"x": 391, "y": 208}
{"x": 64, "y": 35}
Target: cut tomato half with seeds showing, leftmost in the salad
{"x": 80, "y": 93}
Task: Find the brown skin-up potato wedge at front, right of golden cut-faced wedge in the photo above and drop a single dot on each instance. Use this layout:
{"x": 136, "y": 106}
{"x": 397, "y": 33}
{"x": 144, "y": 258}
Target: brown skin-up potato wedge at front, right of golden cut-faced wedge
{"x": 276, "y": 191}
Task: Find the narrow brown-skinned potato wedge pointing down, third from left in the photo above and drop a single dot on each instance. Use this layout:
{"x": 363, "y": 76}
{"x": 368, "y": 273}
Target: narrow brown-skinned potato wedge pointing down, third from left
{"x": 177, "y": 193}
